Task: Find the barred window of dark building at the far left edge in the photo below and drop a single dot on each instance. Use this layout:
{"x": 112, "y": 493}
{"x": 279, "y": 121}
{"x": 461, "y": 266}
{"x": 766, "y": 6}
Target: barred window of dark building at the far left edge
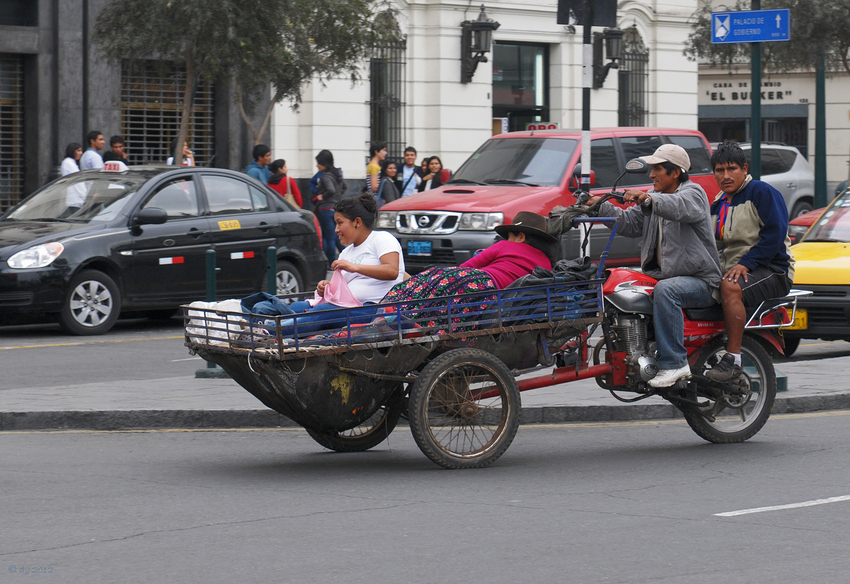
{"x": 11, "y": 131}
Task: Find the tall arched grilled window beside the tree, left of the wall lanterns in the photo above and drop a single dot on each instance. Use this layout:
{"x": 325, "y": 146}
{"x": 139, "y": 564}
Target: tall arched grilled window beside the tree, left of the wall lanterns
{"x": 386, "y": 90}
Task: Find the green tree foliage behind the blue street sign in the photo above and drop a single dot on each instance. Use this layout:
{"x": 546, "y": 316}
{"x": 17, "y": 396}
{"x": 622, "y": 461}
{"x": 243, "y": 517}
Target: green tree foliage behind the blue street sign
{"x": 818, "y": 27}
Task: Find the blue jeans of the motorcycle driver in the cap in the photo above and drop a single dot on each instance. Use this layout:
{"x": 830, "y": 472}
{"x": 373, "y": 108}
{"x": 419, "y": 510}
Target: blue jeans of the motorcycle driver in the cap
{"x": 670, "y": 296}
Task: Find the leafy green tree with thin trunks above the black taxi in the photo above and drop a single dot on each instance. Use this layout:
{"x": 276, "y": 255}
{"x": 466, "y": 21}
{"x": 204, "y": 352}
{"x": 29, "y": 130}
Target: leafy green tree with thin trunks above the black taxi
{"x": 283, "y": 42}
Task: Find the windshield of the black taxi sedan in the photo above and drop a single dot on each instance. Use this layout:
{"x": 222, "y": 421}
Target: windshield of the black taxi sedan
{"x": 79, "y": 198}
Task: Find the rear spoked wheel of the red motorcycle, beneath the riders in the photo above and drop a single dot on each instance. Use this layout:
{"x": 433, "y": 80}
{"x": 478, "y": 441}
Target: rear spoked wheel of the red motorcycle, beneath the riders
{"x": 736, "y": 417}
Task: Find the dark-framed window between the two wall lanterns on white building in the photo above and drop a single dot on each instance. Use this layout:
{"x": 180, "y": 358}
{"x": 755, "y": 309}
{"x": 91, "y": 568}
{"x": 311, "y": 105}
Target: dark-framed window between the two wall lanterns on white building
{"x": 520, "y": 83}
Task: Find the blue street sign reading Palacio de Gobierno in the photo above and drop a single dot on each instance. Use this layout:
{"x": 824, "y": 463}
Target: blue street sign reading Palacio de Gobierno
{"x": 750, "y": 26}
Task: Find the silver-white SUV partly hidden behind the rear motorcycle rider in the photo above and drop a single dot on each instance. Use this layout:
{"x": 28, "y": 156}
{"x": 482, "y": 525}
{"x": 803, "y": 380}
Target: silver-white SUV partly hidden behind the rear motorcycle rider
{"x": 786, "y": 170}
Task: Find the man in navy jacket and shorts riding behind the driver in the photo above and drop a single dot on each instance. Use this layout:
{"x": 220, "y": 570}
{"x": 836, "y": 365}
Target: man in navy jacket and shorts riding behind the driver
{"x": 751, "y": 227}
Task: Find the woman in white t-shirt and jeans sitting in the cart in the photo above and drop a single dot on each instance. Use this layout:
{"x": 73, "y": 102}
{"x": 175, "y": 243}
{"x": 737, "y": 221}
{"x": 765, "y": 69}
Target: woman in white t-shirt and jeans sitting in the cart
{"x": 371, "y": 264}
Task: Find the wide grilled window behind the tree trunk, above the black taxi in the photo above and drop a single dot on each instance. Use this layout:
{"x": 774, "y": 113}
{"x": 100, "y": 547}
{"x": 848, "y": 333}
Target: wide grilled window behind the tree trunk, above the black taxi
{"x": 151, "y": 99}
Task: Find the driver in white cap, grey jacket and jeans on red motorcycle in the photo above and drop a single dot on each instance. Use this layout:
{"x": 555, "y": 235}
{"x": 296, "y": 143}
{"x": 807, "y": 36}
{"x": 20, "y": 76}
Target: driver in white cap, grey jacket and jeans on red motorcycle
{"x": 679, "y": 250}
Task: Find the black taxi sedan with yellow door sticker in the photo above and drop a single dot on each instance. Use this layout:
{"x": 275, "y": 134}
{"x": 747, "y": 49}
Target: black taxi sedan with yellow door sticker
{"x": 91, "y": 245}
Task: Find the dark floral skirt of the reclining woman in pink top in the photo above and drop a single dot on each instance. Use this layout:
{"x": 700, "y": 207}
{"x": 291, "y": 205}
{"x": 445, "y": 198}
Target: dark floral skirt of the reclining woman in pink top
{"x": 438, "y": 282}
